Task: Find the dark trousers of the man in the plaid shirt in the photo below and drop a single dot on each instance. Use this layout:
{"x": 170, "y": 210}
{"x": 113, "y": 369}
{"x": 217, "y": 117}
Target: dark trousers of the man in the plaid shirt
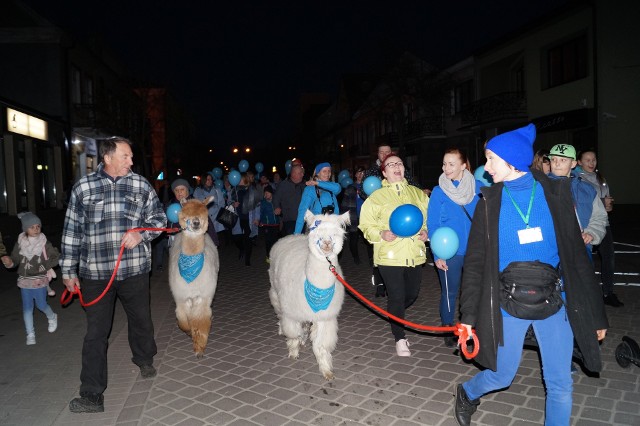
{"x": 133, "y": 293}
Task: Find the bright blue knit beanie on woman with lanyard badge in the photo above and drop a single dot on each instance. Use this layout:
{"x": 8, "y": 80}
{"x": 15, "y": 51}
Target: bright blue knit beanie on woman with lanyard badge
{"x": 515, "y": 147}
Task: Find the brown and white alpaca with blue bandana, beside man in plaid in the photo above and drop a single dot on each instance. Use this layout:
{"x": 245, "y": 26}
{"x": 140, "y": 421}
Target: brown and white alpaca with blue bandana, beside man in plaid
{"x": 193, "y": 272}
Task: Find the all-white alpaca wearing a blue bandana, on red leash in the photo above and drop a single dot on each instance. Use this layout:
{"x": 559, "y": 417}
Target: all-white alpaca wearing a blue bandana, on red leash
{"x": 301, "y": 287}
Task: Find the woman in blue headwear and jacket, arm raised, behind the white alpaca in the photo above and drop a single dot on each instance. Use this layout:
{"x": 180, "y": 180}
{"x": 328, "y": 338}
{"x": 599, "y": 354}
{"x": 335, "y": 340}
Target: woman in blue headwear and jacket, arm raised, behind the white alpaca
{"x": 319, "y": 196}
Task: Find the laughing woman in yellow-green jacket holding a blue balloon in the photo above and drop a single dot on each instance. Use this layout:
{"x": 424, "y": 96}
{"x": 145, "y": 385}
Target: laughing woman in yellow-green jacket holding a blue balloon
{"x": 397, "y": 258}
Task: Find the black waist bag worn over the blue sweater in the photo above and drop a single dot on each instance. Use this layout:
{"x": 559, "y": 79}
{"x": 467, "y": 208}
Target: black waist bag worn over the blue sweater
{"x": 530, "y": 290}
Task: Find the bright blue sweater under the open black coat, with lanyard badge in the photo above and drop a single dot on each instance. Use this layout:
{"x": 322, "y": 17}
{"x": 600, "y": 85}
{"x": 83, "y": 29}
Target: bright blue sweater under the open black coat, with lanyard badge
{"x": 510, "y": 223}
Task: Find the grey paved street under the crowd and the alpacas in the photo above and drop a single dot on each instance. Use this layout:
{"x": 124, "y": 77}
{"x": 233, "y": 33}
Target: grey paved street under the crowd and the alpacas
{"x": 245, "y": 377}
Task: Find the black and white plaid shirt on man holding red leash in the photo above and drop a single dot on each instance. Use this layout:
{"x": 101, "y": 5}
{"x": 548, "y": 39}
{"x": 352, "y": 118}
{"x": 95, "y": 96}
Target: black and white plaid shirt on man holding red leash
{"x": 100, "y": 211}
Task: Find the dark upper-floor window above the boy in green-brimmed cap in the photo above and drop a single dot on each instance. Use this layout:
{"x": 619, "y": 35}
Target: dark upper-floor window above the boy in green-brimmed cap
{"x": 565, "y": 62}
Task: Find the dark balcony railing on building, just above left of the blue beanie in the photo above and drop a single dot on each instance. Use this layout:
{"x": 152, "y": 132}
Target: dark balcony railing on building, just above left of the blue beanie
{"x": 498, "y": 107}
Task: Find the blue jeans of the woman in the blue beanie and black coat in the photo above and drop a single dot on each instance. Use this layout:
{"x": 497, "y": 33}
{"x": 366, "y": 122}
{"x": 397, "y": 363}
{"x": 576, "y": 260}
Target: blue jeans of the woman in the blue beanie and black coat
{"x": 555, "y": 340}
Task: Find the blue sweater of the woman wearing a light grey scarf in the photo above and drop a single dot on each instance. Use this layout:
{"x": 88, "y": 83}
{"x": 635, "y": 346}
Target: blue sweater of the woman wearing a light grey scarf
{"x": 444, "y": 212}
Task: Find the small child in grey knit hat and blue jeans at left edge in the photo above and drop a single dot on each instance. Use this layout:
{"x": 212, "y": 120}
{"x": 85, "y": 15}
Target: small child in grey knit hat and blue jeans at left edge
{"x": 34, "y": 257}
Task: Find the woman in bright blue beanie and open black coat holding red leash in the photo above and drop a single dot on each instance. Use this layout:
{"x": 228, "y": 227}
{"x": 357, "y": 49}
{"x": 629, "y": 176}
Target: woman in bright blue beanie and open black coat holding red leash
{"x": 526, "y": 266}
